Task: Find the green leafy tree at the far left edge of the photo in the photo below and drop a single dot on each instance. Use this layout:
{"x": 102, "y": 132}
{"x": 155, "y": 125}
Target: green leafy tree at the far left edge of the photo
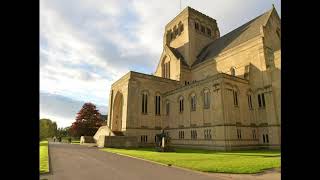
{"x": 47, "y": 128}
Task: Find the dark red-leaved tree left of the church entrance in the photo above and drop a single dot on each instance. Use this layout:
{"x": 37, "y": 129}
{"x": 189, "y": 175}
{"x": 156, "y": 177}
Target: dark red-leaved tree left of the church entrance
{"x": 87, "y": 122}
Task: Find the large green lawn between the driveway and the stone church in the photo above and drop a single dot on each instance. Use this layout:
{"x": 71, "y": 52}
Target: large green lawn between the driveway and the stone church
{"x": 243, "y": 162}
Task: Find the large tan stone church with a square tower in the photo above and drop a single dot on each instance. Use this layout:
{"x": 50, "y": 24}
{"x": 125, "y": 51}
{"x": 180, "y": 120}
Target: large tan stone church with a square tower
{"x": 208, "y": 91}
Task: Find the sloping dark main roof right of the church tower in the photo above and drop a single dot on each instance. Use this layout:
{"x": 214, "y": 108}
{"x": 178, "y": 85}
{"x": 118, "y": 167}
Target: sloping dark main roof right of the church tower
{"x": 234, "y": 38}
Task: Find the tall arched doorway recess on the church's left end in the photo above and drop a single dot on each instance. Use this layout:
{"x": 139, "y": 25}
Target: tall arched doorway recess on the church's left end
{"x": 116, "y": 123}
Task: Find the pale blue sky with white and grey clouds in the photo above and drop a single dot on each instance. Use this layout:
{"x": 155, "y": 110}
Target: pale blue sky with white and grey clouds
{"x": 86, "y": 45}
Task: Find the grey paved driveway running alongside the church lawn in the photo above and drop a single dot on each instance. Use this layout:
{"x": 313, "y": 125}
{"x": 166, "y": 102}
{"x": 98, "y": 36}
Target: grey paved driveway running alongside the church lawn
{"x": 69, "y": 161}
